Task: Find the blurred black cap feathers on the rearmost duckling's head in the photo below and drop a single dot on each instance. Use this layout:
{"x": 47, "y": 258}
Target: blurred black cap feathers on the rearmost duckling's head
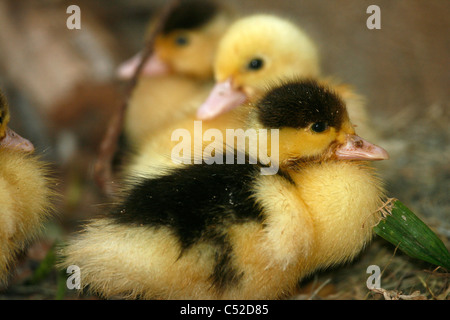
{"x": 191, "y": 14}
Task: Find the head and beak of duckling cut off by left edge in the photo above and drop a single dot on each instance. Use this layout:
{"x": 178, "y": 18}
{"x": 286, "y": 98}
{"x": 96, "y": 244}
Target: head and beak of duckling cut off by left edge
{"x": 8, "y": 138}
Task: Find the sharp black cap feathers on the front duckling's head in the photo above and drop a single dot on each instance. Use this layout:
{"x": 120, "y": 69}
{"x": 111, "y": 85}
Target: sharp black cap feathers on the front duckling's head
{"x": 298, "y": 104}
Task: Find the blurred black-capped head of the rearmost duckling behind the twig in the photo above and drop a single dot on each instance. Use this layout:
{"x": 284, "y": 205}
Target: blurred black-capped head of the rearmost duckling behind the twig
{"x": 187, "y": 43}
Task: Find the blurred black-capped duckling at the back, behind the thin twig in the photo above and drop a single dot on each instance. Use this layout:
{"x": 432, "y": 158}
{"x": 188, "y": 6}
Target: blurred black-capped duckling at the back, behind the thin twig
{"x": 178, "y": 76}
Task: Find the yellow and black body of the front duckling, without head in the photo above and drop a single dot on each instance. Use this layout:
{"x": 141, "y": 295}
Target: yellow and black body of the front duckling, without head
{"x": 219, "y": 245}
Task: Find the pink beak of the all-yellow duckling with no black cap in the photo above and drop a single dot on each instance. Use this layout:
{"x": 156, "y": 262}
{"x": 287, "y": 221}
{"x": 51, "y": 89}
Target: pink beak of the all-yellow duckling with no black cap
{"x": 223, "y": 98}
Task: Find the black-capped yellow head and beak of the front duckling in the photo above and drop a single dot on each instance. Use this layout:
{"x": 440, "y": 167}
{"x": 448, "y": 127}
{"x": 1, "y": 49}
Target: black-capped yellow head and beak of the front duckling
{"x": 313, "y": 125}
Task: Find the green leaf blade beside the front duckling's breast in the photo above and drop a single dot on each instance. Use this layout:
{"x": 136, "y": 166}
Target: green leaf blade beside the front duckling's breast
{"x": 404, "y": 229}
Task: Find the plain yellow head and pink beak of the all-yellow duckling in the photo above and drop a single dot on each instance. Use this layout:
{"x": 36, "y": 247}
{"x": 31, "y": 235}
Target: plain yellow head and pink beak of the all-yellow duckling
{"x": 255, "y": 50}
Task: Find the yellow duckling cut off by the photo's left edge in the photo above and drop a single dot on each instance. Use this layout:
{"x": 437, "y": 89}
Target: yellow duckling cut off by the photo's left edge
{"x": 25, "y": 193}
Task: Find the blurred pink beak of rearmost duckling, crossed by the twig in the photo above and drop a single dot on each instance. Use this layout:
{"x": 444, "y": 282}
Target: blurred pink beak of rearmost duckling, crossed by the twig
{"x": 154, "y": 66}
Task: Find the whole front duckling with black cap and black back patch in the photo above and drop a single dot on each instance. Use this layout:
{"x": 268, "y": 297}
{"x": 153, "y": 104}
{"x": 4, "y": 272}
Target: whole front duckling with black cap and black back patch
{"x": 218, "y": 231}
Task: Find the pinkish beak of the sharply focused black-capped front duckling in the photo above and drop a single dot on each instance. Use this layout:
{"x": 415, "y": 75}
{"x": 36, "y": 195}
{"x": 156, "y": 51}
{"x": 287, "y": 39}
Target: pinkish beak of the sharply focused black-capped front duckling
{"x": 356, "y": 148}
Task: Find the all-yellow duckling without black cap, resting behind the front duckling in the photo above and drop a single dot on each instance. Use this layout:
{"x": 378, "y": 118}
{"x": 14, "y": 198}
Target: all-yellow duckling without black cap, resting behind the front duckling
{"x": 255, "y": 50}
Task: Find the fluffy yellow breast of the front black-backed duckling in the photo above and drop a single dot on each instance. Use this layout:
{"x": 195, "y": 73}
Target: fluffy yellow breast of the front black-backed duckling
{"x": 344, "y": 198}
